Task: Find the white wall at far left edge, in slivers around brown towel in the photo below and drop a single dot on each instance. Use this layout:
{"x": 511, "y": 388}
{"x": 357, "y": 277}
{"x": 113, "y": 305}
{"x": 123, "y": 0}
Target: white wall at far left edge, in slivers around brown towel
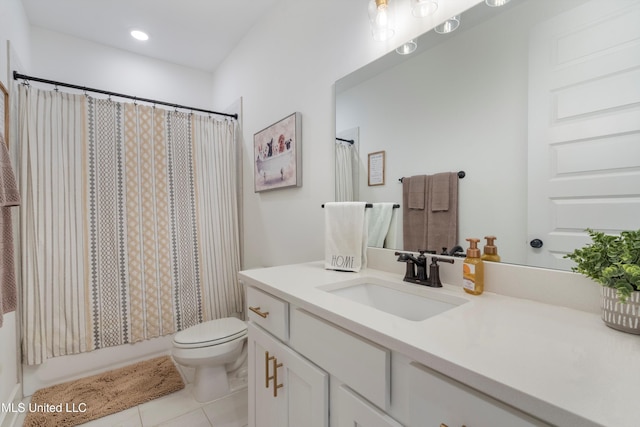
{"x": 14, "y": 27}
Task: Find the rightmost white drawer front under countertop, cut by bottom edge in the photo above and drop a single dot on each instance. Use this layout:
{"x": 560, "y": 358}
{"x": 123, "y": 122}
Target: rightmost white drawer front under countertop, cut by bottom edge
{"x": 437, "y": 399}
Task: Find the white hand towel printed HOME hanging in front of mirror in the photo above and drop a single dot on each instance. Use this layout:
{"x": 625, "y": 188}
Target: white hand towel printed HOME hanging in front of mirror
{"x": 345, "y": 236}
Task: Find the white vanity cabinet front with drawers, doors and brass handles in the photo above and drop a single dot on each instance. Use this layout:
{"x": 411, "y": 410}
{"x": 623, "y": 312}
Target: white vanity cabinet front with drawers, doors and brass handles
{"x": 290, "y": 379}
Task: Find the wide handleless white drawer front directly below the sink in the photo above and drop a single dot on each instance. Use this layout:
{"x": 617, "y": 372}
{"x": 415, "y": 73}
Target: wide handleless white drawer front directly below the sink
{"x": 361, "y": 364}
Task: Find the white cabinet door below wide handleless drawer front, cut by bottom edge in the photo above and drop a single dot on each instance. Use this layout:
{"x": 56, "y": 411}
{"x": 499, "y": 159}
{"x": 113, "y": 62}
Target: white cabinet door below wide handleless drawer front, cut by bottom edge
{"x": 355, "y": 411}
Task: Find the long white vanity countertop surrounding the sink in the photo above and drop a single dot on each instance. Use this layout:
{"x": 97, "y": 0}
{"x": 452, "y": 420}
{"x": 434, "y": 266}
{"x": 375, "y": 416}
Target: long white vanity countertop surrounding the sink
{"x": 562, "y": 365}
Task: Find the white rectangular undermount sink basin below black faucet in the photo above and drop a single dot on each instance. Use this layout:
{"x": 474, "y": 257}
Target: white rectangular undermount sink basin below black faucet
{"x": 410, "y": 303}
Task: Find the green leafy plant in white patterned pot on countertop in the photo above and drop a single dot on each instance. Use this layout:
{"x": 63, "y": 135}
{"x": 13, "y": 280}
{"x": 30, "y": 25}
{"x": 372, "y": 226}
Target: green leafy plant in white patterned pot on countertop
{"x": 614, "y": 262}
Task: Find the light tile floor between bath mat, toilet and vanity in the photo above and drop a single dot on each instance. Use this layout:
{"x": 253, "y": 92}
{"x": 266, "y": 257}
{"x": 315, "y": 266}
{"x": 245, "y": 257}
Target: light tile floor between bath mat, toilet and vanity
{"x": 180, "y": 409}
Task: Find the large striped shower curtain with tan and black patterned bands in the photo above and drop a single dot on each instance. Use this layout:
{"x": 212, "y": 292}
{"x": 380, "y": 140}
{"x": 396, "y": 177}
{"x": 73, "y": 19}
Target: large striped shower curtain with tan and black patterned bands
{"x": 129, "y": 226}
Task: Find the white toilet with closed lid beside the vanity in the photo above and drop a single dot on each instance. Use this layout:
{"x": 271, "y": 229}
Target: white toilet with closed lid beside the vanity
{"x": 214, "y": 348}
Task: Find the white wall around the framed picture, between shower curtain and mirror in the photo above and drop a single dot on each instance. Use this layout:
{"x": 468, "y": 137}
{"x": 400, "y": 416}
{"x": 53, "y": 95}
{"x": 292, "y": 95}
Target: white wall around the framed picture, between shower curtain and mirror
{"x": 289, "y": 62}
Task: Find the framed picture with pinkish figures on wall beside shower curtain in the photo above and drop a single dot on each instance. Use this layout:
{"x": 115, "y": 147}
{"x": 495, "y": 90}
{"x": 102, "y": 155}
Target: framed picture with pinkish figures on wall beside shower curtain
{"x": 277, "y": 155}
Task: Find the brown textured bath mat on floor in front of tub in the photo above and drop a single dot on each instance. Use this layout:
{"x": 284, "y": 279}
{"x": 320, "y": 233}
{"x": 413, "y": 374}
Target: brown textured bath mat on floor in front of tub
{"x": 86, "y": 399}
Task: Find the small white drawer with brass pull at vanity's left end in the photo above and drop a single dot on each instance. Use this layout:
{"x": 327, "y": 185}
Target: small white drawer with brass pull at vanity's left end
{"x": 269, "y": 312}
